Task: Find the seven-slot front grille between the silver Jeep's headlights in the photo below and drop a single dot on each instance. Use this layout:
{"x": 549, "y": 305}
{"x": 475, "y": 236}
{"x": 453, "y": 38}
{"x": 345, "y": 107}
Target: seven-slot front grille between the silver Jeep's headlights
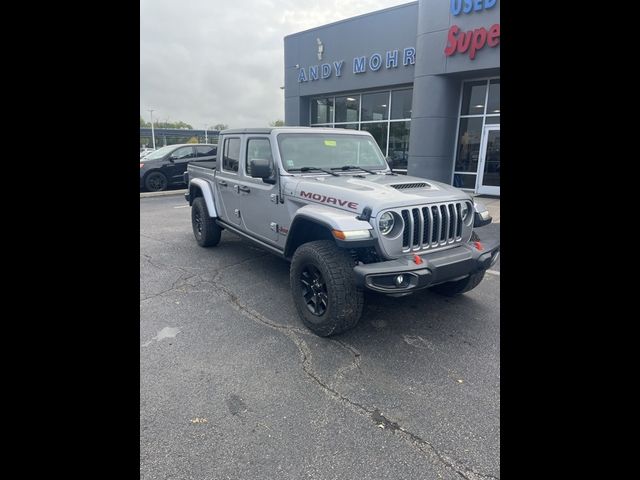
{"x": 431, "y": 226}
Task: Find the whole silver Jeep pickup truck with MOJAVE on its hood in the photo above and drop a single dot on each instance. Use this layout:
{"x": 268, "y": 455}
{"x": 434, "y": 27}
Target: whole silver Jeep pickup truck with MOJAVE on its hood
{"x": 326, "y": 200}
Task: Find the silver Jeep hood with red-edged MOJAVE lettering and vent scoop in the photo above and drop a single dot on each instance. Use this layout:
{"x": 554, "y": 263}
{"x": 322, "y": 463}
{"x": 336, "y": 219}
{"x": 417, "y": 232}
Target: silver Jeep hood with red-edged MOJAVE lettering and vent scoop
{"x": 353, "y": 193}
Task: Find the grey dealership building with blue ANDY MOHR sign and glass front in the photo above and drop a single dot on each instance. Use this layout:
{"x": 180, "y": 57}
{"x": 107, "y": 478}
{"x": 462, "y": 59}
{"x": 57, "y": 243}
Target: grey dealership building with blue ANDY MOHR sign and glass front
{"x": 423, "y": 78}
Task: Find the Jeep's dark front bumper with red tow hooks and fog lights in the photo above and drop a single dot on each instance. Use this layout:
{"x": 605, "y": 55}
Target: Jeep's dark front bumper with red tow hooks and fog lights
{"x": 436, "y": 267}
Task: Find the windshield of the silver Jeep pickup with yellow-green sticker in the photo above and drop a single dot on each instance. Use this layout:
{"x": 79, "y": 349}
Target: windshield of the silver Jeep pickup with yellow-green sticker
{"x": 328, "y": 151}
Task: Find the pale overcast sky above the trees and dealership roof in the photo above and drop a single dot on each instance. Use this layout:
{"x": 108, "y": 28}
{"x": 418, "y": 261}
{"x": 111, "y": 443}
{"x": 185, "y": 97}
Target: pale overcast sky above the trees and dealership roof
{"x": 222, "y": 61}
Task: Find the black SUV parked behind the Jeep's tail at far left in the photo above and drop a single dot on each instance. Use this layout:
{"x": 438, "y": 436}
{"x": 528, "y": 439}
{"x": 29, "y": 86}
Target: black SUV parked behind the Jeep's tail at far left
{"x": 166, "y": 166}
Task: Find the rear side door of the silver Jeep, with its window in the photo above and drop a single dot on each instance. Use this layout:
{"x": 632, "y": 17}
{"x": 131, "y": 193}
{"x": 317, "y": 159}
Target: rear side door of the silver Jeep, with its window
{"x": 227, "y": 178}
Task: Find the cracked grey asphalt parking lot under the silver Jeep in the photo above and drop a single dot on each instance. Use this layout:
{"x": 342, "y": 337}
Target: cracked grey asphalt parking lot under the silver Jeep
{"x": 233, "y": 386}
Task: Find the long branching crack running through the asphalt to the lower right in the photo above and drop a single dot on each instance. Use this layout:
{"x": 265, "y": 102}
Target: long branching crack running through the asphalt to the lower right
{"x": 374, "y": 414}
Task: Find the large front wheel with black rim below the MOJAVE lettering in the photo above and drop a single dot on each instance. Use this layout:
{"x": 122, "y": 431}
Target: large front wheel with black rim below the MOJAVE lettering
{"x": 323, "y": 288}
